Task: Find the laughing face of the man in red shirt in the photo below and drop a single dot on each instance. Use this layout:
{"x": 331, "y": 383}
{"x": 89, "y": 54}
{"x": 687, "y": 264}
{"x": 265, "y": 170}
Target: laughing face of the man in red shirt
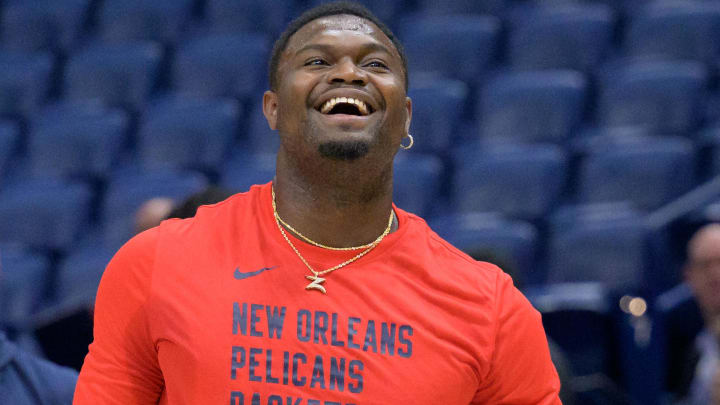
{"x": 341, "y": 91}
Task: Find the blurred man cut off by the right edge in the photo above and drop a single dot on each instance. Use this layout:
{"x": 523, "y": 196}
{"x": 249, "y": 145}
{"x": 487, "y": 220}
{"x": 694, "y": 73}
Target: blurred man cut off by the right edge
{"x": 702, "y": 273}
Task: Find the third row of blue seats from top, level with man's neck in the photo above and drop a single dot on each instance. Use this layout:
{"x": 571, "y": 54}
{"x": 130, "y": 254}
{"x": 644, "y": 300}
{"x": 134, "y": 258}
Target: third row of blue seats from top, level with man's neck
{"x": 519, "y": 181}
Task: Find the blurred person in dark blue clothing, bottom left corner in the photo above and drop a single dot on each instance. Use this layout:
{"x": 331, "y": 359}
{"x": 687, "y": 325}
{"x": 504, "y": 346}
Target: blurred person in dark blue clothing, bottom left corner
{"x": 28, "y": 380}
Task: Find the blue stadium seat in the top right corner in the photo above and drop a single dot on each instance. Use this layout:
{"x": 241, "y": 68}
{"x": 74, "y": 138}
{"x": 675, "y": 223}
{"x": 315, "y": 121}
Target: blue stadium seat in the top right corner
{"x": 675, "y": 30}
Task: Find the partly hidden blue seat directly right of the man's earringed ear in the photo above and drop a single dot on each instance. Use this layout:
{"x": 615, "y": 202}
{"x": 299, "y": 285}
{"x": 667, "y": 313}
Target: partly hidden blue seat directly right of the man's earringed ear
{"x": 437, "y": 108}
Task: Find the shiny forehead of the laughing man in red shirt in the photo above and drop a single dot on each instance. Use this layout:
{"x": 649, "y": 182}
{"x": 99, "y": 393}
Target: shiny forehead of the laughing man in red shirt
{"x": 334, "y": 30}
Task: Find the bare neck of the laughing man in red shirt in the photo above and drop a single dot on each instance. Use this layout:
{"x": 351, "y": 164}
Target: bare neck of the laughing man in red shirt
{"x": 336, "y": 203}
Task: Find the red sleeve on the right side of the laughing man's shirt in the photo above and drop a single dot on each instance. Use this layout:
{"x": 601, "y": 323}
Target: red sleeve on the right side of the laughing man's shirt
{"x": 521, "y": 372}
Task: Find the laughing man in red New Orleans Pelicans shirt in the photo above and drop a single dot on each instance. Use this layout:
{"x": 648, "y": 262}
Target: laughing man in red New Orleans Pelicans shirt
{"x": 315, "y": 289}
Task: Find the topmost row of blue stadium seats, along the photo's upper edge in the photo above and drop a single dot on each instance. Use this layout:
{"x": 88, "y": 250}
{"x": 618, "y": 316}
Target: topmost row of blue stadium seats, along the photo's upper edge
{"x": 538, "y": 30}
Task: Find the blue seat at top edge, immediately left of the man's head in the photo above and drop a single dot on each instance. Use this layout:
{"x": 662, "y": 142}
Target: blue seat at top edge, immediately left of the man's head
{"x": 248, "y": 15}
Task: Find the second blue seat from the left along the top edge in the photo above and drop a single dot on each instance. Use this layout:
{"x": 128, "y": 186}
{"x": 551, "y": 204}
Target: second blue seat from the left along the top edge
{"x": 140, "y": 20}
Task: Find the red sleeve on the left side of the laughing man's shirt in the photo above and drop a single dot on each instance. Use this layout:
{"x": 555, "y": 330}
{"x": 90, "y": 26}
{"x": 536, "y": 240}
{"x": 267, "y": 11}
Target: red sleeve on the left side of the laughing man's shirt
{"x": 122, "y": 365}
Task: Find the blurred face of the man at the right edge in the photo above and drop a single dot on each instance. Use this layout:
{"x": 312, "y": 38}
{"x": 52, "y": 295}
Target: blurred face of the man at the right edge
{"x": 703, "y": 270}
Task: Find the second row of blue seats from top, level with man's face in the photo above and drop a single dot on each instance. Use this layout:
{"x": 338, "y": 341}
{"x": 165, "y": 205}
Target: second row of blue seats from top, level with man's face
{"x": 540, "y": 106}
